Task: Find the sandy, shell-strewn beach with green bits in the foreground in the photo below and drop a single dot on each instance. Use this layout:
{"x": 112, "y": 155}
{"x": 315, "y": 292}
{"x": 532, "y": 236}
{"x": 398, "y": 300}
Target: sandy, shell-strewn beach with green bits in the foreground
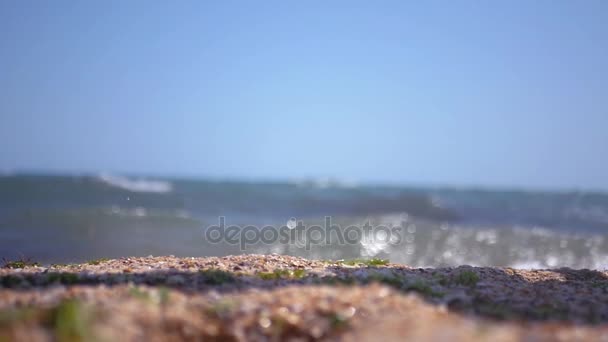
{"x": 277, "y": 297}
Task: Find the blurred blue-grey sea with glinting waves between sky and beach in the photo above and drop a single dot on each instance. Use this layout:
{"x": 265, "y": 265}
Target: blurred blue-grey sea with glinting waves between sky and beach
{"x": 56, "y": 219}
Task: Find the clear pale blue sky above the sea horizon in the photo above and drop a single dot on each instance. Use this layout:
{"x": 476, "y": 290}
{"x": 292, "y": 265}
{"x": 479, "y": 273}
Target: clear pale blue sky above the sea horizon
{"x": 491, "y": 93}
